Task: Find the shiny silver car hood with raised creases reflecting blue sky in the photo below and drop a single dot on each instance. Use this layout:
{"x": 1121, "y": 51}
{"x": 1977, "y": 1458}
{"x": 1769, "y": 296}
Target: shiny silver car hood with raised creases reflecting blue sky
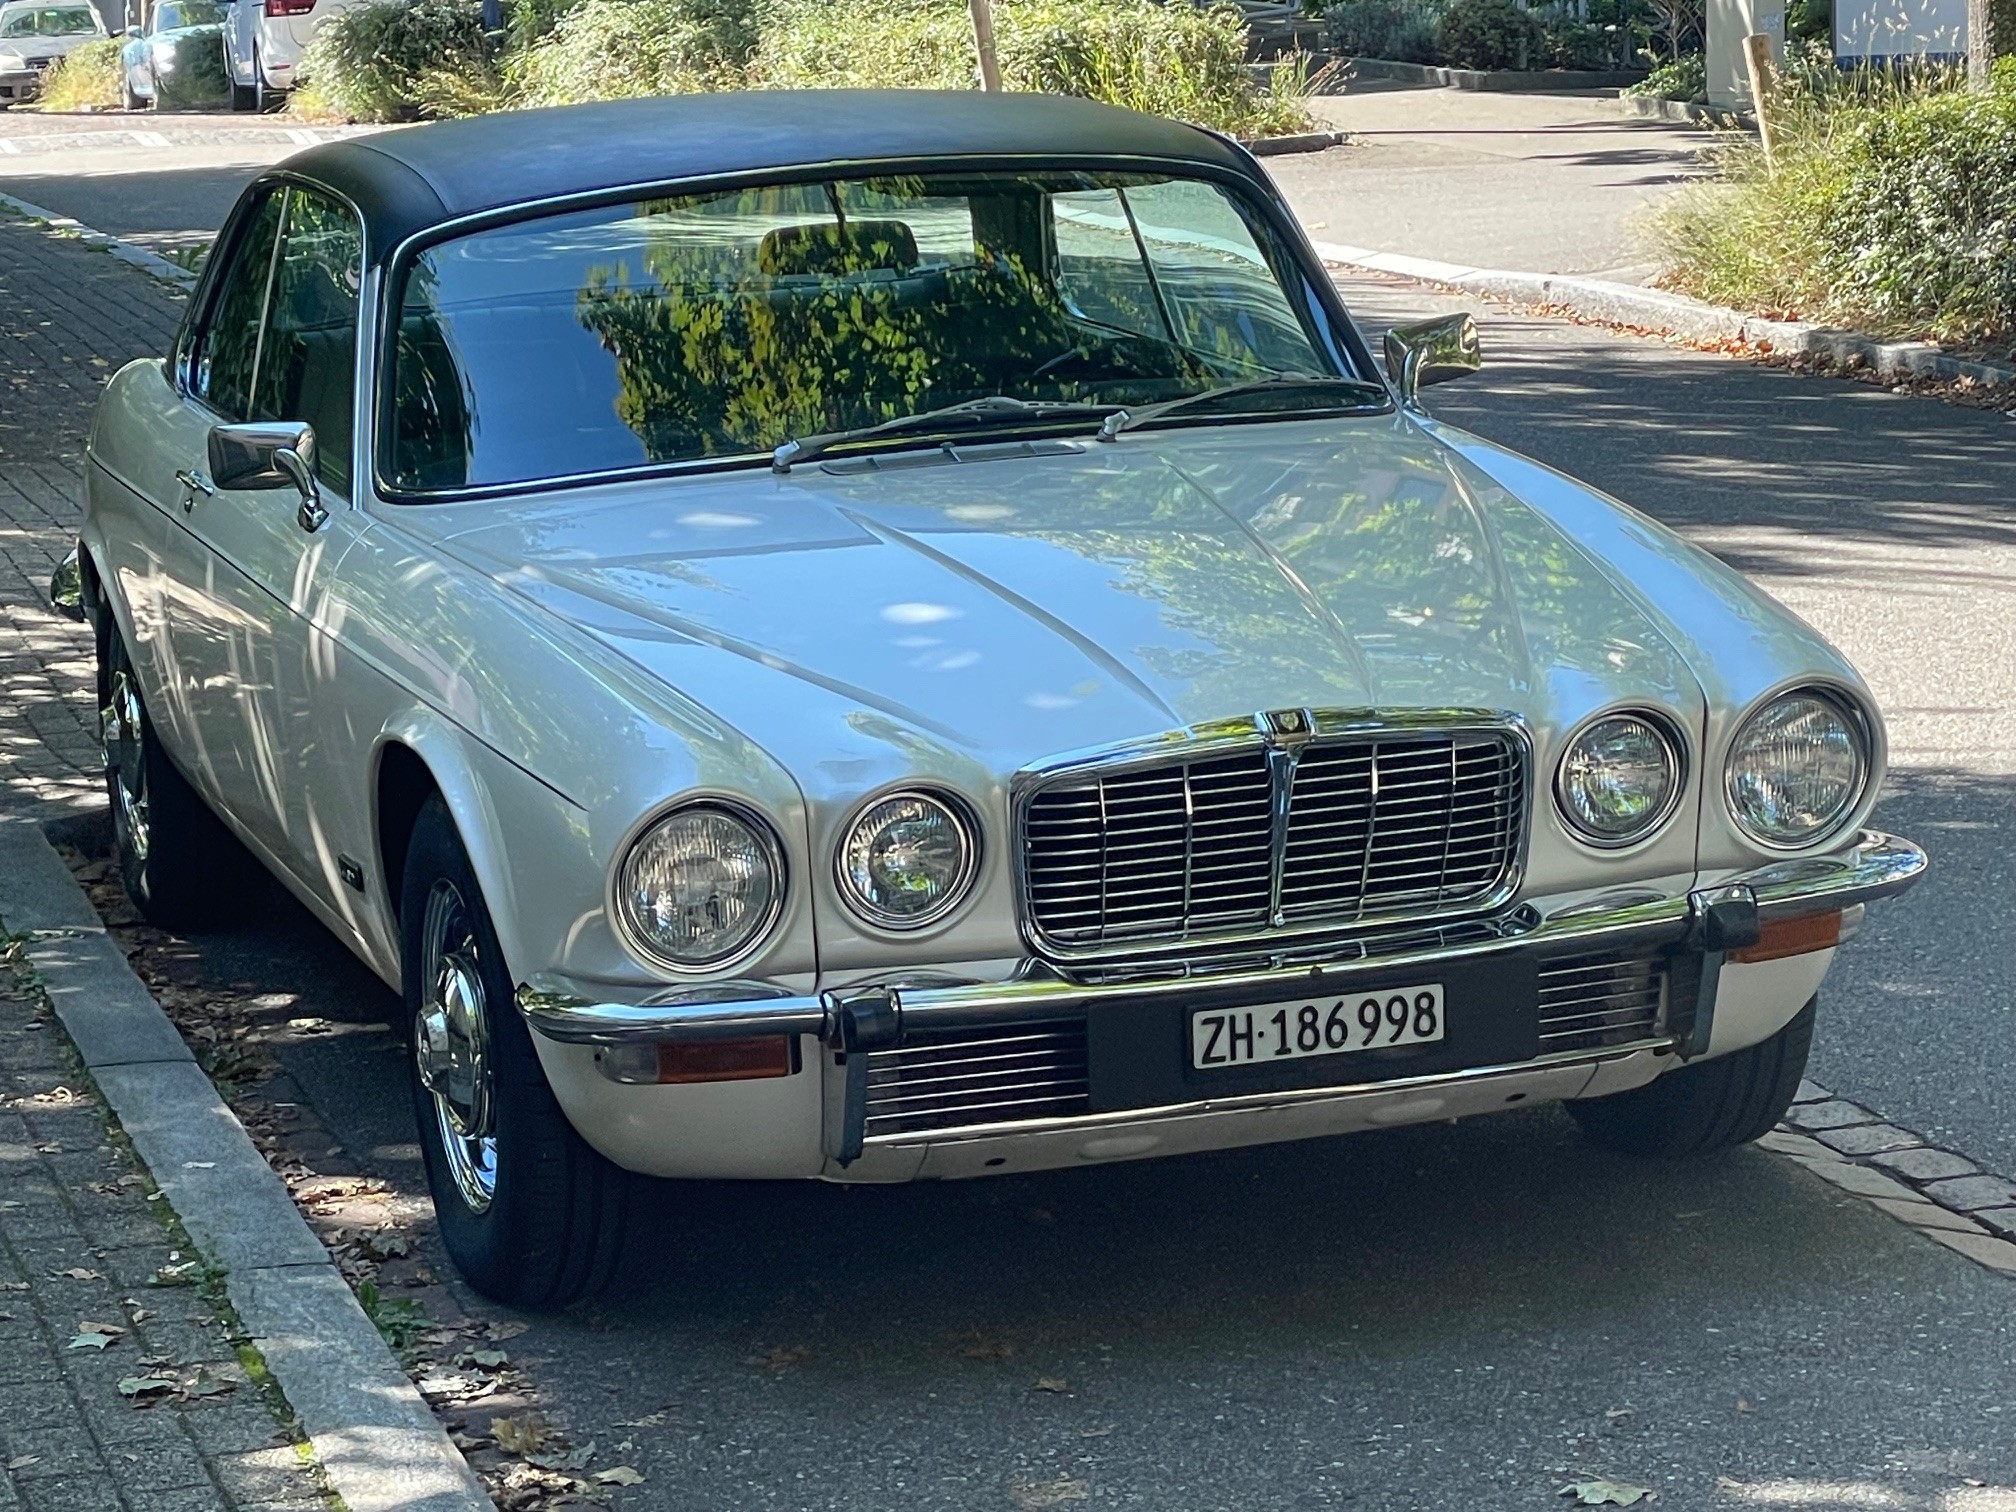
{"x": 1017, "y": 602}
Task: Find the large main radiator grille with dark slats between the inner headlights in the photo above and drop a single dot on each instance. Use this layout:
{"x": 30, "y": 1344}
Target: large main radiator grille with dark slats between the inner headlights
{"x": 1374, "y": 830}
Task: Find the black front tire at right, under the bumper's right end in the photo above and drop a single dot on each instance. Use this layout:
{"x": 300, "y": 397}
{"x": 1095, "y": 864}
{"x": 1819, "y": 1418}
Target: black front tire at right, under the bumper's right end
{"x": 1711, "y": 1106}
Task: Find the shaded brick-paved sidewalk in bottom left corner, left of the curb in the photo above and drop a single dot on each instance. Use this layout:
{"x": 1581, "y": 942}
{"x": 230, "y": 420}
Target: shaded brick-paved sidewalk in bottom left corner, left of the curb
{"x": 84, "y": 1251}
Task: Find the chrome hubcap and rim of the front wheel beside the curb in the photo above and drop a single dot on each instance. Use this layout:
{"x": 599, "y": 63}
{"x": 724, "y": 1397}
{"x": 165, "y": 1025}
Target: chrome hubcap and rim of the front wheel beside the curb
{"x": 453, "y": 1045}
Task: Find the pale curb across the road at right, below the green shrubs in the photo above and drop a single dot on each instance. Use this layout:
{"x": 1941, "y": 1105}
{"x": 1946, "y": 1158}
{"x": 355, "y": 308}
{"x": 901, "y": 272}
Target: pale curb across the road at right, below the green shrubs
{"x": 1678, "y": 316}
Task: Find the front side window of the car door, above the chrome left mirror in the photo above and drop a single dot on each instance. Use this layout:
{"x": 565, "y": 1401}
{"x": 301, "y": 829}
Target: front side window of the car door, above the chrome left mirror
{"x": 307, "y": 368}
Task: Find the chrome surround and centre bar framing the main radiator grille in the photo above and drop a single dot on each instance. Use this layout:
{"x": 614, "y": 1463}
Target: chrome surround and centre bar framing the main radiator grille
{"x": 1287, "y": 731}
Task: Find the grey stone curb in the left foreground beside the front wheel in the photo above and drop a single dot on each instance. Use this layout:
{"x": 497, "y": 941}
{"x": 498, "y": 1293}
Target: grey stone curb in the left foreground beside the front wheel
{"x": 374, "y": 1436}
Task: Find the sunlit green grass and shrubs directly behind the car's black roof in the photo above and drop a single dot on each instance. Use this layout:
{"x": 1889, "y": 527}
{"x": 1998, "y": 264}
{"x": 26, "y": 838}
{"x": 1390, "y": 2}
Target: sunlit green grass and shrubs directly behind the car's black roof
{"x": 396, "y": 59}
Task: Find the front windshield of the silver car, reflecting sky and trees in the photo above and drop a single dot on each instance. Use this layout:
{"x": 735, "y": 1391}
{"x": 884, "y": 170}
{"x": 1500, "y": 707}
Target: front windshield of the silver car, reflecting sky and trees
{"x": 725, "y": 326}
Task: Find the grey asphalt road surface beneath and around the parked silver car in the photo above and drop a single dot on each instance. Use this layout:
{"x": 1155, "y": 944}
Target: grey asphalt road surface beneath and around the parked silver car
{"x": 1451, "y": 1317}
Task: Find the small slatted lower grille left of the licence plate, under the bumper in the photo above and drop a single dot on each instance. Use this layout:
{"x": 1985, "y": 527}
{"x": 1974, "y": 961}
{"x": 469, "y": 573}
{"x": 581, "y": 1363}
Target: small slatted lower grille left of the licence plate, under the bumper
{"x": 949, "y": 1080}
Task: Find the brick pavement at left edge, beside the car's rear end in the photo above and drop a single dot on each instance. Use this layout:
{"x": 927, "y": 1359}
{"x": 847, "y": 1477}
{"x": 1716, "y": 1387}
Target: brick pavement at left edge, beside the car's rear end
{"x": 70, "y": 320}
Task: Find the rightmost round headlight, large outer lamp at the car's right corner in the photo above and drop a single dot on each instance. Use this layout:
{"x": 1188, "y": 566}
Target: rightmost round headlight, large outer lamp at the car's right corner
{"x": 1797, "y": 769}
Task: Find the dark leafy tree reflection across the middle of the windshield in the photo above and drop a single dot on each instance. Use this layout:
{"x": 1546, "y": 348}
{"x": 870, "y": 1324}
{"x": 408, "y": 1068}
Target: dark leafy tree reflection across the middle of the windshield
{"x": 731, "y": 344}
